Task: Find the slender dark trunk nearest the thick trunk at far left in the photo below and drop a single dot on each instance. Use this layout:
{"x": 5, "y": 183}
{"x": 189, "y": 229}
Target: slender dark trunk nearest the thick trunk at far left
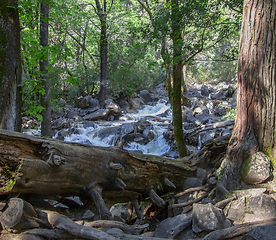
{"x": 46, "y": 126}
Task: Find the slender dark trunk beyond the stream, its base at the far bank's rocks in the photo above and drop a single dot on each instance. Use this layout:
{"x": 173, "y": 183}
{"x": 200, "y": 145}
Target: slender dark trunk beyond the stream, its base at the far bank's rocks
{"x": 103, "y": 51}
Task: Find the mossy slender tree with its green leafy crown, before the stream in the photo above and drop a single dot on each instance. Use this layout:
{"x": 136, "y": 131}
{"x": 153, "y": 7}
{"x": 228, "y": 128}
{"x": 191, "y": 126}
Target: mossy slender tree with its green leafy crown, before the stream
{"x": 185, "y": 29}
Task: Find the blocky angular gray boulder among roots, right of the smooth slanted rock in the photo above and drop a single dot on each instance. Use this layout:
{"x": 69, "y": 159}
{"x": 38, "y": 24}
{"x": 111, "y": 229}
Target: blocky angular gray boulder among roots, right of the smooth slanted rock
{"x": 207, "y": 217}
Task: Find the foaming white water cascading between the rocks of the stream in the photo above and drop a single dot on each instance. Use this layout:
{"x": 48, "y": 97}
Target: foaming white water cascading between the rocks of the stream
{"x": 107, "y": 133}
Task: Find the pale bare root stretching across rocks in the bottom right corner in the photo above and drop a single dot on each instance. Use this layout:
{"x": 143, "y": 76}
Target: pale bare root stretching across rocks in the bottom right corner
{"x": 237, "y": 230}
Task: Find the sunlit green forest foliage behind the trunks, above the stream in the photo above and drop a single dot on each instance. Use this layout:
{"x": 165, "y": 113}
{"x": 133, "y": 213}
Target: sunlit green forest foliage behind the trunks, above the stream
{"x": 137, "y": 35}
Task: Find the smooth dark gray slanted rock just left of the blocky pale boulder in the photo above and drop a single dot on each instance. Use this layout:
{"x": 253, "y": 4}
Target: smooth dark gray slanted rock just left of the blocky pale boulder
{"x": 171, "y": 227}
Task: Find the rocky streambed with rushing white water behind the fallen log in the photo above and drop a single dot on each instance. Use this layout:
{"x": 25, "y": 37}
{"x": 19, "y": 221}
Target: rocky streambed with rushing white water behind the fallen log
{"x": 144, "y": 123}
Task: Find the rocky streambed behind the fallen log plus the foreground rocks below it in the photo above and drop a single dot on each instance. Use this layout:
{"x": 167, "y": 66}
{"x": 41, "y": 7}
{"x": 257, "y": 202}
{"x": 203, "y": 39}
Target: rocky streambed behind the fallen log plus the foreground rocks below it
{"x": 195, "y": 213}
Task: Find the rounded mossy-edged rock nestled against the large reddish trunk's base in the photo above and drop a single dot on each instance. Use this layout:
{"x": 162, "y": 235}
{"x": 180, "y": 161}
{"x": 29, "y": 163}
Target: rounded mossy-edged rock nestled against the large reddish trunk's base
{"x": 256, "y": 169}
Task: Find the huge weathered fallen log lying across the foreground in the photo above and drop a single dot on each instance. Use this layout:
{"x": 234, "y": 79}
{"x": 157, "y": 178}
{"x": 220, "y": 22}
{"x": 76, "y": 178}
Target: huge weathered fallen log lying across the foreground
{"x": 48, "y": 167}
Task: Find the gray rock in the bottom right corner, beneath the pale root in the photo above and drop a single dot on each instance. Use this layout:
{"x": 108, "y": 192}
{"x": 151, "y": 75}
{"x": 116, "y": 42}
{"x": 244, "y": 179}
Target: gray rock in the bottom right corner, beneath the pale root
{"x": 261, "y": 233}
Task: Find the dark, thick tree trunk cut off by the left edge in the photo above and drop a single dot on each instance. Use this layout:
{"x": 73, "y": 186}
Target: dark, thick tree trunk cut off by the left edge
{"x": 10, "y": 67}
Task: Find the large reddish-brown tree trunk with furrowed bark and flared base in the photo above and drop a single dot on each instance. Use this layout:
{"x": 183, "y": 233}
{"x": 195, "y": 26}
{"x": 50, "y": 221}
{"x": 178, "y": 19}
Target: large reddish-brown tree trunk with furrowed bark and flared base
{"x": 255, "y": 126}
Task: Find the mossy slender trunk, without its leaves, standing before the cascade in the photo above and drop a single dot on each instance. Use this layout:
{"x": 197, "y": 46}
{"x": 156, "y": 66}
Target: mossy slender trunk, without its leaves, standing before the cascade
{"x": 177, "y": 79}
